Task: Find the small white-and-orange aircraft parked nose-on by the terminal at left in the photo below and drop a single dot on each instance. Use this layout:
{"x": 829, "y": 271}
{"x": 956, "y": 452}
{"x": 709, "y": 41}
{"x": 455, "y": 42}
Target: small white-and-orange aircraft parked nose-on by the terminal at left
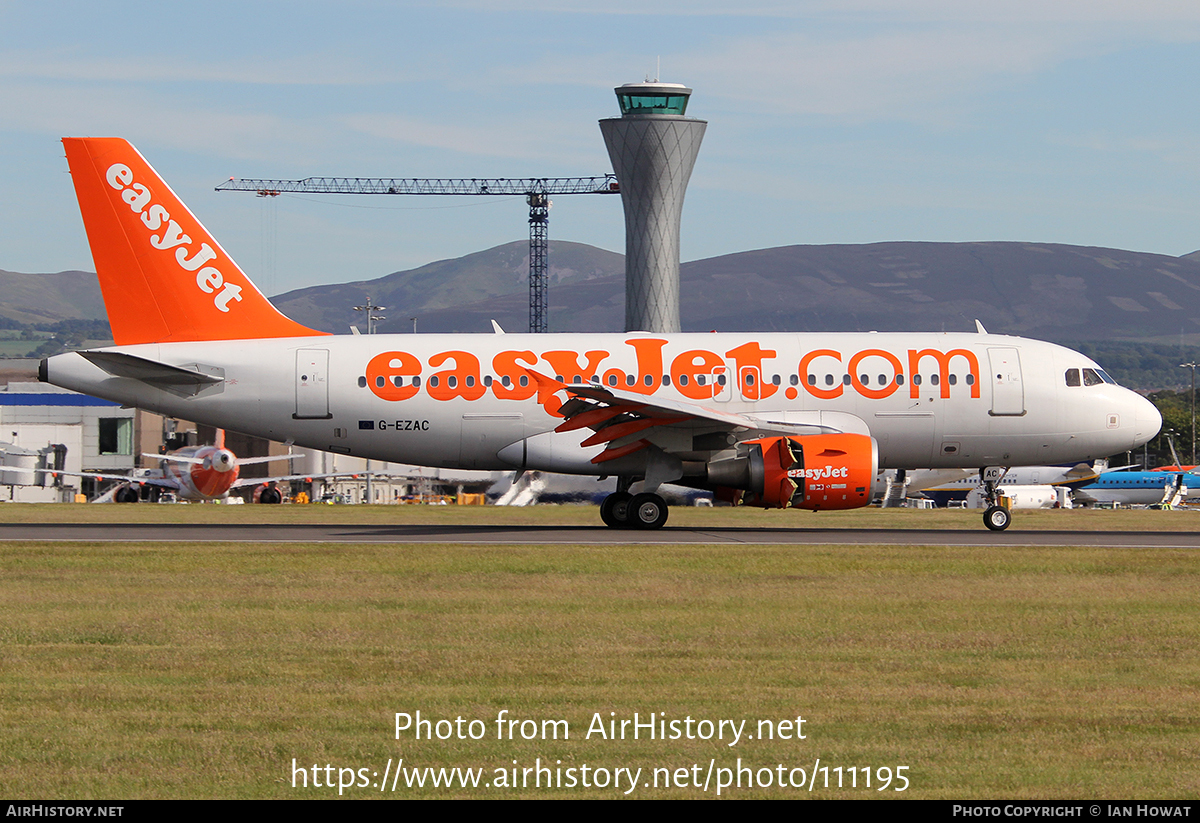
{"x": 195, "y": 473}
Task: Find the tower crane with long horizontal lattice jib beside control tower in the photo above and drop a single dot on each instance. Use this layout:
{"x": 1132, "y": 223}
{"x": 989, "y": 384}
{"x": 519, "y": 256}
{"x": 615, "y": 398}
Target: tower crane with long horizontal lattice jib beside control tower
{"x": 537, "y": 193}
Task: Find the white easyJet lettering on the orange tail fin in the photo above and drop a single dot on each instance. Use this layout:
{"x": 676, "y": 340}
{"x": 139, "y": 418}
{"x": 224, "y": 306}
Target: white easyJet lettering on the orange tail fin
{"x": 166, "y": 236}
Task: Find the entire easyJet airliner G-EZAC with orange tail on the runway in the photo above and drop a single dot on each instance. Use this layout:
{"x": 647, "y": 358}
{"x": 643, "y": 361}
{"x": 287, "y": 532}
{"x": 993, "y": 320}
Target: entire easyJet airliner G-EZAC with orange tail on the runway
{"x": 773, "y": 420}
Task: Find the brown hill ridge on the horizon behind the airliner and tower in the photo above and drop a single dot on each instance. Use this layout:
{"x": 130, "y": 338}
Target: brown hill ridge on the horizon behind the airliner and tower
{"x": 1046, "y": 291}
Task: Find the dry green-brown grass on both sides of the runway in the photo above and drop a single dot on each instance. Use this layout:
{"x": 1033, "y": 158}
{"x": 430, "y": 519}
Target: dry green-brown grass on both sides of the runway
{"x": 197, "y": 671}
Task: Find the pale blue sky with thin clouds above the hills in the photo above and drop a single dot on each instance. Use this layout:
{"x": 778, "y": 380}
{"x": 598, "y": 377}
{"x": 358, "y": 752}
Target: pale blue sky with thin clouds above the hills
{"x": 831, "y": 122}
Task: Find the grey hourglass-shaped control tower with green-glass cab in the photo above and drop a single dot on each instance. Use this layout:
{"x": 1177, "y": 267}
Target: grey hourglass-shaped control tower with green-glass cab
{"x": 653, "y": 149}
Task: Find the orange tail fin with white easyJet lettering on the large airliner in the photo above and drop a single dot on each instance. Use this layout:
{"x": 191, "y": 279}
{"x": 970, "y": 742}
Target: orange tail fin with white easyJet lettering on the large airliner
{"x": 164, "y": 277}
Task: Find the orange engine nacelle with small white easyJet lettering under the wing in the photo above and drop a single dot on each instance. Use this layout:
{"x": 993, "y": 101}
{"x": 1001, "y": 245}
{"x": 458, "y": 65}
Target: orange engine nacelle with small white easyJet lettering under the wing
{"x": 813, "y": 472}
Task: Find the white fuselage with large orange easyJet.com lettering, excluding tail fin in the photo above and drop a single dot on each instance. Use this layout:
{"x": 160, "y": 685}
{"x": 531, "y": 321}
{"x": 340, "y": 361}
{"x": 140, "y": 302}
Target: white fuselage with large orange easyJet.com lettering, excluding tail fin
{"x": 929, "y": 400}
